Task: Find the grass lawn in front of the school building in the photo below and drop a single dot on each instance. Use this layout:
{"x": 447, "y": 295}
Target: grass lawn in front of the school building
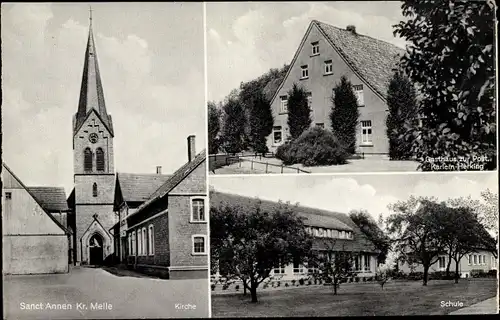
{"x": 397, "y": 298}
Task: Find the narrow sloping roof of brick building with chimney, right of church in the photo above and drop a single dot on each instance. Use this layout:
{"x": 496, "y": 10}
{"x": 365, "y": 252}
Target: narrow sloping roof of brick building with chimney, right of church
{"x": 174, "y": 180}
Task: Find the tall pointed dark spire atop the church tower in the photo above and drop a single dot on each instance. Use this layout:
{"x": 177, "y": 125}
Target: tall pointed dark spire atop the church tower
{"x": 91, "y": 92}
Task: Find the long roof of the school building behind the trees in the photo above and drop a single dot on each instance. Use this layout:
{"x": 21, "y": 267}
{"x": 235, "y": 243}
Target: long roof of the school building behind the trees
{"x": 312, "y": 217}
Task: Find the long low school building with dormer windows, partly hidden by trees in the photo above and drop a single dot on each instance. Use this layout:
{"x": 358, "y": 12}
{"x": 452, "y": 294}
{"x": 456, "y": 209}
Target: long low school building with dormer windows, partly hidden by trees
{"x": 332, "y": 232}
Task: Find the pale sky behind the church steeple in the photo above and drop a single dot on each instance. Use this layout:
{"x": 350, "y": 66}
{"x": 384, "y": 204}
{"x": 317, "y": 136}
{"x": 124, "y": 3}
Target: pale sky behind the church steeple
{"x": 151, "y": 60}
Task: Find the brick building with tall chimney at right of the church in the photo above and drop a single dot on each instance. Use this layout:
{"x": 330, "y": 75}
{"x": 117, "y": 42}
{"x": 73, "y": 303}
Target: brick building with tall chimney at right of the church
{"x": 167, "y": 234}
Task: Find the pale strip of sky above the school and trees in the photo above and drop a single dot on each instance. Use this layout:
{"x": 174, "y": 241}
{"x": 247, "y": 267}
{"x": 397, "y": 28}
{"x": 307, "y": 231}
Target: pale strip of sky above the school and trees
{"x": 370, "y": 192}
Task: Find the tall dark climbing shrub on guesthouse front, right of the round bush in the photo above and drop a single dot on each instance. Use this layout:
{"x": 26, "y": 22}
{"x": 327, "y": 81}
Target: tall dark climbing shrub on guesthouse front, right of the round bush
{"x": 344, "y": 114}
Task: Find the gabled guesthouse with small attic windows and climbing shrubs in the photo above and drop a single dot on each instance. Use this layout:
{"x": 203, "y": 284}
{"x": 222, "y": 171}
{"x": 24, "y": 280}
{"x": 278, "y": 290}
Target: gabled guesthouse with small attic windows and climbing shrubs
{"x": 325, "y": 54}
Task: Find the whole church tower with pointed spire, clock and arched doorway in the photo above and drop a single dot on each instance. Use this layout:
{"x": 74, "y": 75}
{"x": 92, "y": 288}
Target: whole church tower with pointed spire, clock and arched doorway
{"x": 94, "y": 172}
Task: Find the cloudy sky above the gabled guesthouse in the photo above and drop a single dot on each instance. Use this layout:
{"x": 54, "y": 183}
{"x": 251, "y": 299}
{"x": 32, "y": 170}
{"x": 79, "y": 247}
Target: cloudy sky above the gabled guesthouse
{"x": 246, "y": 39}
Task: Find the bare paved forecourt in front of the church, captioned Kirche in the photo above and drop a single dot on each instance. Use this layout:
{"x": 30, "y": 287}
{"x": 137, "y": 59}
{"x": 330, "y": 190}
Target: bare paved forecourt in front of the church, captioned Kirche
{"x": 88, "y": 293}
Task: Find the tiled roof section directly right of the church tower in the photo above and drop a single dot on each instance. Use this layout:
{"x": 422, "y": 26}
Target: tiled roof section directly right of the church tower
{"x": 139, "y": 187}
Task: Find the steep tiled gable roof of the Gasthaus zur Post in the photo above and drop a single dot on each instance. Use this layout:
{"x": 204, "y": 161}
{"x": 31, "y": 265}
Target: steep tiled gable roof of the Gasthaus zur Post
{"x": 372, "y": 60}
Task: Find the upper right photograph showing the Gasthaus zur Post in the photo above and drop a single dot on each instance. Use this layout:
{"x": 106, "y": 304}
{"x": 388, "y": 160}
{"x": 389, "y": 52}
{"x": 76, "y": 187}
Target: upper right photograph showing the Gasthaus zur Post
{"x": 351, "y": 86}
